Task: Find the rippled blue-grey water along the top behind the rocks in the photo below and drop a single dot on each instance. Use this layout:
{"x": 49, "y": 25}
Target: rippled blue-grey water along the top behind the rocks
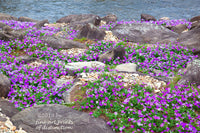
{"x": 124, "y": 9}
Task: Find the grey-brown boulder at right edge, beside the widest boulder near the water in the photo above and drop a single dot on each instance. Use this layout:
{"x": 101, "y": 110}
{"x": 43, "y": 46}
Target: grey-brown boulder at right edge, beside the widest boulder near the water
{"x": 191, "y": 39}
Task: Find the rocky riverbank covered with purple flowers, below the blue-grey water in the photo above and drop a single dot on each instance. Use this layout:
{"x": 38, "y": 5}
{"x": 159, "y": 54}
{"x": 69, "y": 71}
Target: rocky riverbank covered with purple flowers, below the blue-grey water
{"x": 103, "y": 68}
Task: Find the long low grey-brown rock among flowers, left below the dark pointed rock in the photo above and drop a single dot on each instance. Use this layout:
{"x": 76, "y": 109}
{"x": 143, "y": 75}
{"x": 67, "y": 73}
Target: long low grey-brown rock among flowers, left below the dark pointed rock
{"x": 58, "y": 42}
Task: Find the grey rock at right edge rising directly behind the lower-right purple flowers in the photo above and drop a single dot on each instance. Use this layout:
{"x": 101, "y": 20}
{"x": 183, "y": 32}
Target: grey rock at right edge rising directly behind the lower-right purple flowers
{"x": 192, "y": 73}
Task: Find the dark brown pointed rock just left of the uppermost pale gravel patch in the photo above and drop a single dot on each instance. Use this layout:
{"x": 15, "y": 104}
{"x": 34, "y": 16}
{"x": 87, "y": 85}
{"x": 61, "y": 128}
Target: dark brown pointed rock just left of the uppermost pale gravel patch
{"x": 90, "y": 31}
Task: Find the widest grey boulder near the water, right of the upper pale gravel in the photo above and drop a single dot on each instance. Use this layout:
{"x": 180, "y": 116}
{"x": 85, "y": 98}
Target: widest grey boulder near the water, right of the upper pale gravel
{"x": 144, "y": 33}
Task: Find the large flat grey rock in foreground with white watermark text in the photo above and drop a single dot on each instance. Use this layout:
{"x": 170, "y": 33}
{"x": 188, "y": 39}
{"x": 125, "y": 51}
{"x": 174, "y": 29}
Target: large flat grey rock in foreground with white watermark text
{"x": 53, "y": 118}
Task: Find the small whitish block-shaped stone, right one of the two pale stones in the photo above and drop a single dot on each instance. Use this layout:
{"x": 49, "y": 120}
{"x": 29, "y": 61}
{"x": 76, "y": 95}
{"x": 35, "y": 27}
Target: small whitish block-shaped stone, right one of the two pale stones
{"x": 128, "y": 67}
